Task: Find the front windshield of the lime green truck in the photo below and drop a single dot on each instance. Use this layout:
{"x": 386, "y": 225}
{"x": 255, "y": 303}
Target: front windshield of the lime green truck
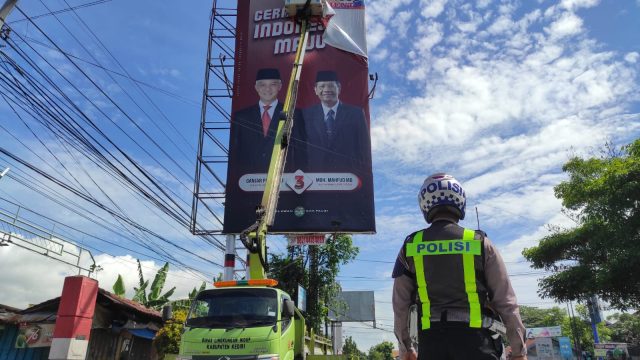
{"x": 225, "y": 308}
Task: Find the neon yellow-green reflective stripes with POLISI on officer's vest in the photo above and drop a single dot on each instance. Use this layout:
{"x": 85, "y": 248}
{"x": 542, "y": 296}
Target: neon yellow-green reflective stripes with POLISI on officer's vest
{"x": 468, "y": 247}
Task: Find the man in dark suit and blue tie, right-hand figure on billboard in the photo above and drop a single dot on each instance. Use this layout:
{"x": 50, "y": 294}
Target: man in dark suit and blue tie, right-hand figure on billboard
{"x": 337, "y": 133}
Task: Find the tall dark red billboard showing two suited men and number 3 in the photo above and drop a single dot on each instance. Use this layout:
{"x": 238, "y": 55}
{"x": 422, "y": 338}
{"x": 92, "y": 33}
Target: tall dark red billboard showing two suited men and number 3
{"x": 328, "y": 184}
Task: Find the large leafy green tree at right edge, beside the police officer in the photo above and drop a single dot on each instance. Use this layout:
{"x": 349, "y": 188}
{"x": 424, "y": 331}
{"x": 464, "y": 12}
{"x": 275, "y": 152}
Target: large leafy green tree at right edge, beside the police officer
{"x": 600, "y": 255}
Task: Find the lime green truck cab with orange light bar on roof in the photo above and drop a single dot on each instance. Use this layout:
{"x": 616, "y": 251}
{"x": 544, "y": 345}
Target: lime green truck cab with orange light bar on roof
{"x": 239, "y": 320}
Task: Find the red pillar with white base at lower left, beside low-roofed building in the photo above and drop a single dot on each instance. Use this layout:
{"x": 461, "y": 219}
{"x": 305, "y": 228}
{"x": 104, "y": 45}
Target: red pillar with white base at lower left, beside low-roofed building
{"x": 75, "y": 315}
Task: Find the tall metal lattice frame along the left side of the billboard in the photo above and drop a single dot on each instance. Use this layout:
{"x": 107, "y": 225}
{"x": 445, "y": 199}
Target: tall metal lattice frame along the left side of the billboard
{"x": 213, "y": 153}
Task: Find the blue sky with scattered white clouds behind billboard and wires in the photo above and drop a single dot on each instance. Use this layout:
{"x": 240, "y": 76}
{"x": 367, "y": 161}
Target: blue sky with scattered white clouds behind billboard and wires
{"x": 498, "y": 93}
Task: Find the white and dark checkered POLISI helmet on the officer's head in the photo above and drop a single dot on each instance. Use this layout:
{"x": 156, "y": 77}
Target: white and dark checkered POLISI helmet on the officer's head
{"x": 441, "y": 190}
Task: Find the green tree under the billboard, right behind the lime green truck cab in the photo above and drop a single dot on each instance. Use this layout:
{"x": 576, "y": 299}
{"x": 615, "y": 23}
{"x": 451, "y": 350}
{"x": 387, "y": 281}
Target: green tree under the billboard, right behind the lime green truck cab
{"x": 319, "y": 279}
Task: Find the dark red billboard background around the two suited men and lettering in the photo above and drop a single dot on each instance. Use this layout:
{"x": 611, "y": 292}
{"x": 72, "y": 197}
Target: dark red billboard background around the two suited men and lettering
{"x": 322, "y": 211}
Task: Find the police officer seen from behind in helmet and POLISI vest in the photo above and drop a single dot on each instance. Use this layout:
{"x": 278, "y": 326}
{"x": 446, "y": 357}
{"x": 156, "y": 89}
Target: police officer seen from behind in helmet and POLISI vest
{"x": 459, "y": 282}
